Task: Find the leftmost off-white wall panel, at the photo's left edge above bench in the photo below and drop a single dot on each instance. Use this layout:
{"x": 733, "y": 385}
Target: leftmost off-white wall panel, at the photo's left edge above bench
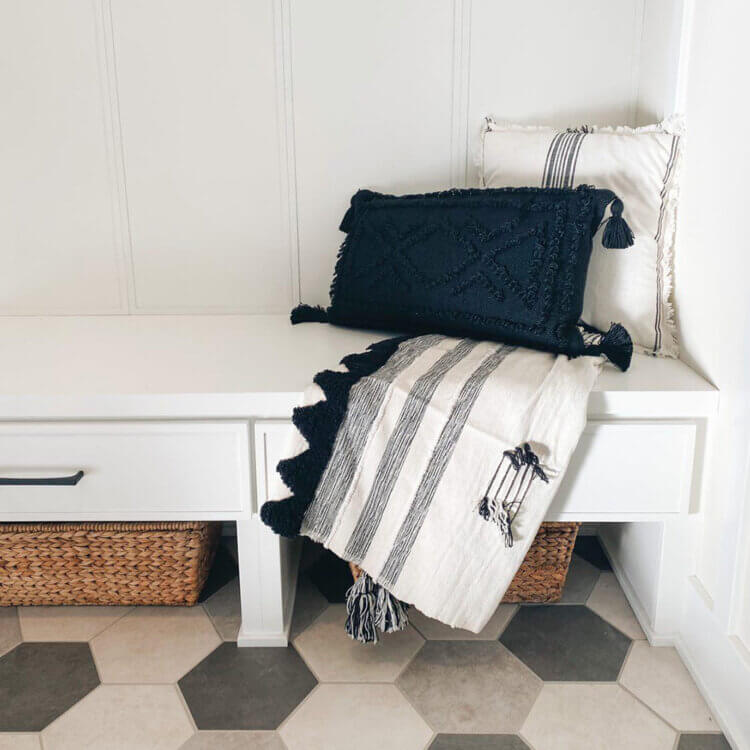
{"x": 59, "y": 234}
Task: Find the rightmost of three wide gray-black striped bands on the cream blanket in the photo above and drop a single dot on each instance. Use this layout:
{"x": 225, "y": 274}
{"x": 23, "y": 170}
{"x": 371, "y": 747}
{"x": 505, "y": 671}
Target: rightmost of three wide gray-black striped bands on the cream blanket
{"x": 437, "y": 465}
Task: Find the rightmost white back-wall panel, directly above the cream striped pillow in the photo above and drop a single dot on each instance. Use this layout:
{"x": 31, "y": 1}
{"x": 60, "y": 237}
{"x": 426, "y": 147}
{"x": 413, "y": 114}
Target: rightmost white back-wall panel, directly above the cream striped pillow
{"x": 560, "y": 64}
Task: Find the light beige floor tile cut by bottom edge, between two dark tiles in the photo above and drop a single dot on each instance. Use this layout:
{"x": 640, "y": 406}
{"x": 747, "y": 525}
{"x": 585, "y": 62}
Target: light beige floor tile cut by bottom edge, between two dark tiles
{"x": 595, "y": 717}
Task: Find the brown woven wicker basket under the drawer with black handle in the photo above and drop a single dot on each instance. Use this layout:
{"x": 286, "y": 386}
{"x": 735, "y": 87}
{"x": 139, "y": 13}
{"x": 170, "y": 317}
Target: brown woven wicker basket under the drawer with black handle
{"x": 105, "y": 563}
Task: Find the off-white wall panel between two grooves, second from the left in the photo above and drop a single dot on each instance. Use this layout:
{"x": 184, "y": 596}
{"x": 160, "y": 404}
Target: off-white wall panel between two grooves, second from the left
{"x": 204, "y": 155}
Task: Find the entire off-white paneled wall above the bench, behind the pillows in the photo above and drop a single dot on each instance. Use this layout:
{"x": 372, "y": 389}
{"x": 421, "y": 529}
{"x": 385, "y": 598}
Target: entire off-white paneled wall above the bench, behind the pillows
{"x": 195, "y": 156}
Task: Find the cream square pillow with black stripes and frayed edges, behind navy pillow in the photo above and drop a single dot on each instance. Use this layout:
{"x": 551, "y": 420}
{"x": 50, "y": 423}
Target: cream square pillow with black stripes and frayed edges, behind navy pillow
{"x": 632, "y": 286}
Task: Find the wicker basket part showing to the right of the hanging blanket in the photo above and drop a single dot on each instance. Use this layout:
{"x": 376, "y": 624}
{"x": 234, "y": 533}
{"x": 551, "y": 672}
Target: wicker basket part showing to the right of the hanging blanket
{"x": 542, "y": 574}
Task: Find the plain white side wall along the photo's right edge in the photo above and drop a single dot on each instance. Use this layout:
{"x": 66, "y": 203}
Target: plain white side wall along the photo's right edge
{"x": 713, "y": 308}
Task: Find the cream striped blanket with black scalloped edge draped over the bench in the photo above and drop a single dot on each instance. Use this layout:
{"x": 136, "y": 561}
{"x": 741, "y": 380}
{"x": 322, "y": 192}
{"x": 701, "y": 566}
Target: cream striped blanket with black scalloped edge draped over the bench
{"x": 430, "y": 463}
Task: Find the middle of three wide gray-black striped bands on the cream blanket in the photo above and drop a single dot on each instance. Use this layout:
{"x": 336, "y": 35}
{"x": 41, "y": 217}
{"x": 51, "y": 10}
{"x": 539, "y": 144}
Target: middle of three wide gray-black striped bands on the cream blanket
{"x": 397, "y": 449}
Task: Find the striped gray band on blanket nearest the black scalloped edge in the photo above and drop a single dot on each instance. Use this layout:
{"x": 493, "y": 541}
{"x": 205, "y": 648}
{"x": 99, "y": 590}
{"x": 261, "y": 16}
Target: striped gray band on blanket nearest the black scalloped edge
{"x": 366, "y": 399}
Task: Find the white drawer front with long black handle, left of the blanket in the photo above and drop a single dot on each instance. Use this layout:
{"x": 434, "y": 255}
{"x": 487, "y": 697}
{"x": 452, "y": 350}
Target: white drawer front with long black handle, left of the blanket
{"x": 130, "y": 469}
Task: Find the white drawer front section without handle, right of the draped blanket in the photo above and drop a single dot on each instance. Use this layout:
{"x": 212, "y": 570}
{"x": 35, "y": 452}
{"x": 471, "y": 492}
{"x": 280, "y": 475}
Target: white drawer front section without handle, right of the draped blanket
{"x": 622, "y": 468}
